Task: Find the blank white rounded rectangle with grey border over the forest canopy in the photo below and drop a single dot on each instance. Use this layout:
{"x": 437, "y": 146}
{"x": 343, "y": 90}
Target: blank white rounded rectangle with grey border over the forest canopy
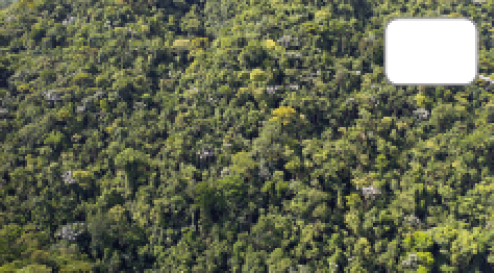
{"x": 431, "y": 51}
